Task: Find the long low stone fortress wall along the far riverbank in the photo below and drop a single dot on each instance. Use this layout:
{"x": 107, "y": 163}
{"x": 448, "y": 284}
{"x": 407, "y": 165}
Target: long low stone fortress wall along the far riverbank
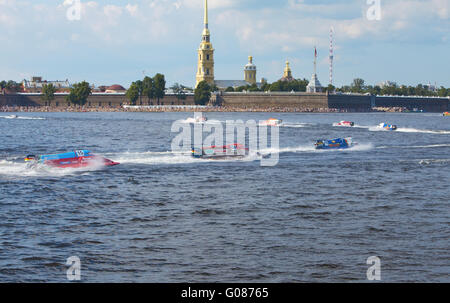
{"x": 301, "y": 101}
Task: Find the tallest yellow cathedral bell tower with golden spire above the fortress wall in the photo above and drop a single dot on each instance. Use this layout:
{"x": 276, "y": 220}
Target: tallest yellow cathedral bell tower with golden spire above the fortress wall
{"x": 205, "y": 70}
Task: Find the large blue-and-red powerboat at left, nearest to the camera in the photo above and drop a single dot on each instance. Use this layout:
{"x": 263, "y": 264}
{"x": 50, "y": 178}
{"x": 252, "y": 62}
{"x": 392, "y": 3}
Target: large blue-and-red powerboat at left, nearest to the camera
{"x": 75, "y": 159}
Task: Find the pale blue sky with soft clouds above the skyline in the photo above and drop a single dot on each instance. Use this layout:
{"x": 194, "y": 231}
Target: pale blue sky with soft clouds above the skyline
{"x": 117, "y": 42}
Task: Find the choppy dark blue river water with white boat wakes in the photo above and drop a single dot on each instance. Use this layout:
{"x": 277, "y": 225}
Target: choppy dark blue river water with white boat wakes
{"x": 163, "y": 217}
